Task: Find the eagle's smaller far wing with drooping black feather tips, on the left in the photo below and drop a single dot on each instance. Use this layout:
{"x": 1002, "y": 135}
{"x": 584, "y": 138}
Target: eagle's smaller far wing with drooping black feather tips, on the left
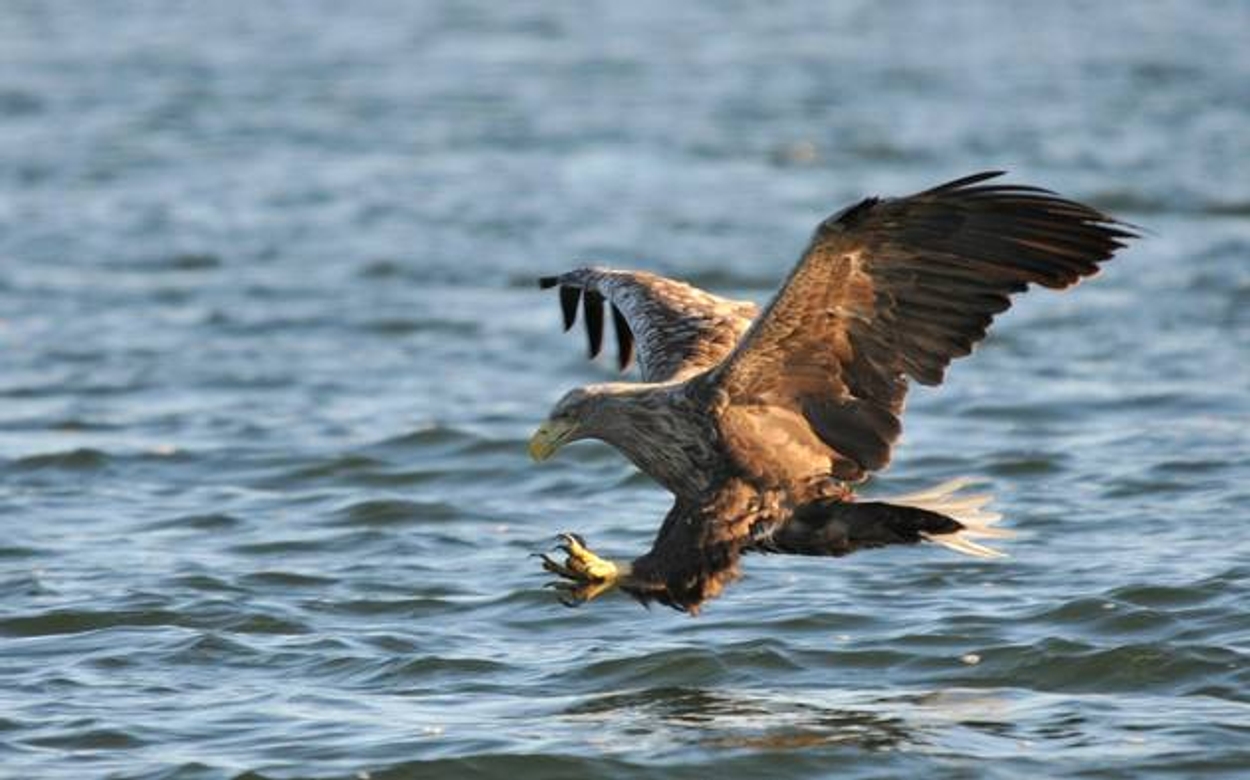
{"x": 677, "y": 329}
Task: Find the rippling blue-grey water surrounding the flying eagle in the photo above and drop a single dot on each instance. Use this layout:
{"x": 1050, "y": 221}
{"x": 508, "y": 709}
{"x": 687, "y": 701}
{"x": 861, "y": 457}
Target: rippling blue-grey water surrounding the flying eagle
{"x": 271, "y": 353}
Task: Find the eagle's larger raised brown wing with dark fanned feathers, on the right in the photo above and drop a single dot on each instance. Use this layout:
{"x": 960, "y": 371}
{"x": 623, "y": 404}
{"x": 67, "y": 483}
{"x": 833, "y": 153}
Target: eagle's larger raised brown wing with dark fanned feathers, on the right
{"x": 898, "y": 288}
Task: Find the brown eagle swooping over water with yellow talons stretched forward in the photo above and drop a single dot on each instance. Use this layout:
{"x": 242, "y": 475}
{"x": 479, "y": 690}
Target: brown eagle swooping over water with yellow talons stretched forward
{"x": 762, "y": 423}
